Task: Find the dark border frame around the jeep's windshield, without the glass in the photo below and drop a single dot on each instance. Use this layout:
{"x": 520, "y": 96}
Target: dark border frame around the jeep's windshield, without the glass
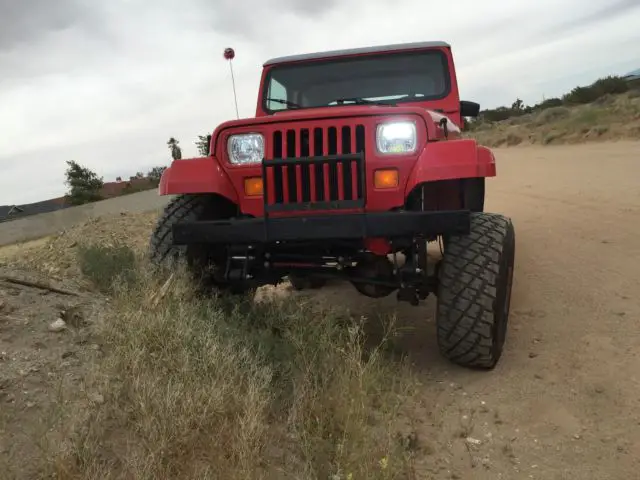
{"x": 444, "y": 59}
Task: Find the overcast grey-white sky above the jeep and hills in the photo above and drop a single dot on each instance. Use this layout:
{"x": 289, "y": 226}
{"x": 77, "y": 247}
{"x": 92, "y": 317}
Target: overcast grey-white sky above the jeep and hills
{"x": 107, "y": 83}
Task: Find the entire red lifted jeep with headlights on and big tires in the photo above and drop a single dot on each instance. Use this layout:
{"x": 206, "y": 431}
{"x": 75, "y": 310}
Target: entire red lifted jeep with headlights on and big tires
{"x": 353, "y": 163}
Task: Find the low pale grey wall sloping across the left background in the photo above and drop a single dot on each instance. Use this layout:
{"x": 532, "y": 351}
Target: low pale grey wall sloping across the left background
{"x": 44, "y": 224}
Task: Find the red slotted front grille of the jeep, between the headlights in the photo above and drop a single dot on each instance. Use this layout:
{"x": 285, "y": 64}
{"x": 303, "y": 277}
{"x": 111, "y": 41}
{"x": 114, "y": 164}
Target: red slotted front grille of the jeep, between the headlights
{"x": 315, "y": 168}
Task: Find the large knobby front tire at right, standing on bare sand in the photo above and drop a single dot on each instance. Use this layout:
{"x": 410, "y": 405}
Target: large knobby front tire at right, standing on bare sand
{"x": 474, "y": 292}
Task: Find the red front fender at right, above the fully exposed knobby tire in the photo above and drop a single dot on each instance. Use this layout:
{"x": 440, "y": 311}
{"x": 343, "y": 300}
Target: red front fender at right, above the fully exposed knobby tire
{"x": 451, "y": 159}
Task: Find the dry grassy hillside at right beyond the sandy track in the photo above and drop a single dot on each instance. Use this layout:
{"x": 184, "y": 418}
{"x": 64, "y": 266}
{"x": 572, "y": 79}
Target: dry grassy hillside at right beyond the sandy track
{"x": 608, "y": 118}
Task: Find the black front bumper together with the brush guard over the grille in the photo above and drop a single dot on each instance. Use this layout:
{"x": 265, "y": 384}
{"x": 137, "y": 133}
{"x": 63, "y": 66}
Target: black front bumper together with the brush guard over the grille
{"x": 292, "y": 191}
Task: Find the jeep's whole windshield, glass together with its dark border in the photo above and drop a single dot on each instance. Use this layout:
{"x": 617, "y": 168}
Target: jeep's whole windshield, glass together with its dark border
{"x": 387, "y": 78}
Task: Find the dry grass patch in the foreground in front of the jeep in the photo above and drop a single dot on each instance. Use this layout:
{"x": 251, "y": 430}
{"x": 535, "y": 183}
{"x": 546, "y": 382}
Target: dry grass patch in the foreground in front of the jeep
{"x": 217, "y": 388}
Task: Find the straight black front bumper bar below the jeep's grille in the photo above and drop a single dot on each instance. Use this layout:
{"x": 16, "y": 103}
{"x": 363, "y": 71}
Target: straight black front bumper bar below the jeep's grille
{"x": 323, "y": 227}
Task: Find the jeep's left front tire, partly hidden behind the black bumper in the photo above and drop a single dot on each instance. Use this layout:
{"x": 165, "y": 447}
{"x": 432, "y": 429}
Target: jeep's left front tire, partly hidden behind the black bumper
{"x": 203, "y": 264}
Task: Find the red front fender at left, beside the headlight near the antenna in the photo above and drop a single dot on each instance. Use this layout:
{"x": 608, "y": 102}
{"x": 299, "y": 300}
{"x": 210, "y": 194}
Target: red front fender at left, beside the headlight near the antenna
{"x": 197, "y": 175}
